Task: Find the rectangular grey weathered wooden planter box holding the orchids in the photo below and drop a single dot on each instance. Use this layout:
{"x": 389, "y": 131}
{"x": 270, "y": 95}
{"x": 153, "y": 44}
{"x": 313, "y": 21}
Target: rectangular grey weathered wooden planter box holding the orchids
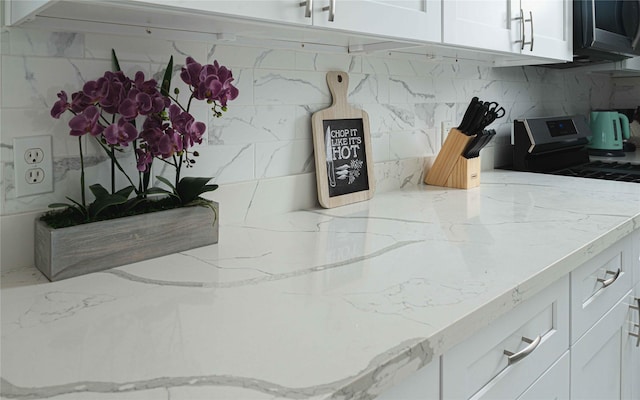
{"x": 82, "y": 249}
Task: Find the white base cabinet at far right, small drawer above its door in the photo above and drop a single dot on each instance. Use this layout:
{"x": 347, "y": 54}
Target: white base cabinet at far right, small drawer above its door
{"x": 604, "y": 359}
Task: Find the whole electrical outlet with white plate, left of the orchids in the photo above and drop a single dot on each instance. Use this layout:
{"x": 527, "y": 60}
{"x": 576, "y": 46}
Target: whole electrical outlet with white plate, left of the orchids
{"x": 33, "y": 165}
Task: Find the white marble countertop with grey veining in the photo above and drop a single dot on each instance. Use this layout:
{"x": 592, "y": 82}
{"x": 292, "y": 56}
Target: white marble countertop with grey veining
{"x": 337, "y": 303}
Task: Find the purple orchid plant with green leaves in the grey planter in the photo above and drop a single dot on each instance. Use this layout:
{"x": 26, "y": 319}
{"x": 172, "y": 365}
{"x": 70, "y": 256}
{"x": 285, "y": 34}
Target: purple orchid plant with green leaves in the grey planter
{"x": 121, "y": 113}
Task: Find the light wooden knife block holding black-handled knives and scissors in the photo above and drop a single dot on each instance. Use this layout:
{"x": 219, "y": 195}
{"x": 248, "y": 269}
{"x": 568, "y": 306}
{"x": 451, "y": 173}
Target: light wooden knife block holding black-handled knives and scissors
{"x": 450, "y": 168}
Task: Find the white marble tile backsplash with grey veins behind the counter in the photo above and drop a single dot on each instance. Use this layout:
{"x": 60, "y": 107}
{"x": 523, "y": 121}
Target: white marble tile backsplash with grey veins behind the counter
{"x": 261, "y": 151}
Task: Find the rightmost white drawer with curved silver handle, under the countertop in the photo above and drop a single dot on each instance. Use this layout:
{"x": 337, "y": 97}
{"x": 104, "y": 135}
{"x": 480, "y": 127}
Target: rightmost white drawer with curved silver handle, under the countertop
{"x": 595, "y": 287}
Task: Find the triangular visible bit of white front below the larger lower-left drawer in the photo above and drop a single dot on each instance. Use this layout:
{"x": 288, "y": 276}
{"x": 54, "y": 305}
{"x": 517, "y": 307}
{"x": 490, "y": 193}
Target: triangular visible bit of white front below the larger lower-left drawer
{"x": 553, "y": 384}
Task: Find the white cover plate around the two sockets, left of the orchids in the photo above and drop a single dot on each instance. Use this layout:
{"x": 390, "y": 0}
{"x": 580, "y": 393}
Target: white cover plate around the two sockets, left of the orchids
{"x": 21, "y": 167}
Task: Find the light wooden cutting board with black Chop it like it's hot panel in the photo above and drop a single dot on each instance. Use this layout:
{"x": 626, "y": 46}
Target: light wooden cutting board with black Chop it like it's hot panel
{"x": 342, "y": 146}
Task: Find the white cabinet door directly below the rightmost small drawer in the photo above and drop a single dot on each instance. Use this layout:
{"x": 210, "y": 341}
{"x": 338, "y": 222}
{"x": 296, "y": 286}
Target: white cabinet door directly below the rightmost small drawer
{"x": 597, "y": 360}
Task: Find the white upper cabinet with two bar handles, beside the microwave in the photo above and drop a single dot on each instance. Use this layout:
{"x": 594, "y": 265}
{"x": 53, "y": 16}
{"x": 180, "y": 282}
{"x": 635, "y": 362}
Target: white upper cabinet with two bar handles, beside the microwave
{"x": 539, "y": 28}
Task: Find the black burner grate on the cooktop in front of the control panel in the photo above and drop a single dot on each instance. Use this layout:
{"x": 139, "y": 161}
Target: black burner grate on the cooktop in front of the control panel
{"x": 613, "y": 171}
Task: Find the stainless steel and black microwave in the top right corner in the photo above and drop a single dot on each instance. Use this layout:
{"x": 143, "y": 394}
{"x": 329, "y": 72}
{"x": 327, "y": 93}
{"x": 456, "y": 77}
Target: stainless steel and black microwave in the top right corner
{"x": 605, "y": 30}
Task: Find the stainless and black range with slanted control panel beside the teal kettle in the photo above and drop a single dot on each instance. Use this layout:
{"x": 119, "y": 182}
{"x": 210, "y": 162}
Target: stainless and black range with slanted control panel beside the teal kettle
{"x": 557, "y": 146}
